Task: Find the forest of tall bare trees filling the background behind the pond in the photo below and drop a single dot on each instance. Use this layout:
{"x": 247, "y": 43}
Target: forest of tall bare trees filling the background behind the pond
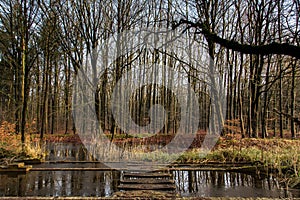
{"x": 214, "y": 67}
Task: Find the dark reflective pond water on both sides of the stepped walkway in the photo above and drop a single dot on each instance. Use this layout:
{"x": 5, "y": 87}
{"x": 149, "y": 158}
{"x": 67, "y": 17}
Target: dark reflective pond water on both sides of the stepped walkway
{"x": 104, "y": 183}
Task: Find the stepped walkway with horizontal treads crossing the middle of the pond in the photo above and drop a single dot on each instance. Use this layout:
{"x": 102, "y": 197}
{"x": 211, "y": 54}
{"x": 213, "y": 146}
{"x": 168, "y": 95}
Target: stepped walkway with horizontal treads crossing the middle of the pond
{"x": 146, "y": 181}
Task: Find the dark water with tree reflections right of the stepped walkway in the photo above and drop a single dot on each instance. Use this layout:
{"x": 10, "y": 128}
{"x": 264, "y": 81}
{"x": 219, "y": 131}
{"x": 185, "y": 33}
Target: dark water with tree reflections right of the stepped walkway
{"x": 228, "y": 184}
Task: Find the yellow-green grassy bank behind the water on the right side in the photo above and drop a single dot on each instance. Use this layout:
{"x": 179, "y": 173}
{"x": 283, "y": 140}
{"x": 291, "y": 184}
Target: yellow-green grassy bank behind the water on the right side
{"x": 274, "y": 153}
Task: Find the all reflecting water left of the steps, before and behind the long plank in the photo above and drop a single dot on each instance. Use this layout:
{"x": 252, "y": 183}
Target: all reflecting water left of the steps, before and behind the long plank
{"x": 62, "y": 183}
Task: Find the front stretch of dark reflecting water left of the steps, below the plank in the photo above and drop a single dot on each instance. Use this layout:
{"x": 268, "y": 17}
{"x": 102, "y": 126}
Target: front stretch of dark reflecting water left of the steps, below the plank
{"x": 60, "y": 183}
